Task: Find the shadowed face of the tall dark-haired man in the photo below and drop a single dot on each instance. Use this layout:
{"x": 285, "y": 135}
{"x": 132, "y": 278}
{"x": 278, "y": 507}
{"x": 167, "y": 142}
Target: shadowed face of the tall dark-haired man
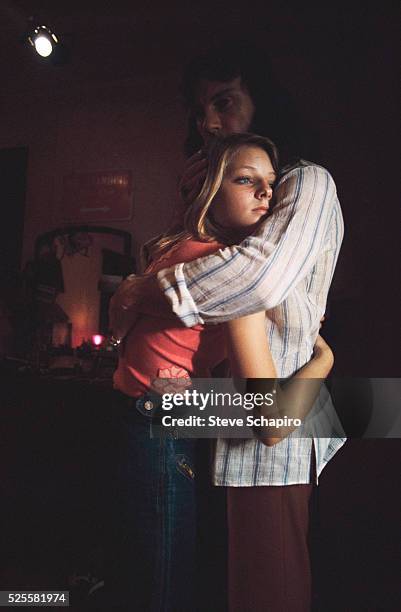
{"x": 223, "y": 108}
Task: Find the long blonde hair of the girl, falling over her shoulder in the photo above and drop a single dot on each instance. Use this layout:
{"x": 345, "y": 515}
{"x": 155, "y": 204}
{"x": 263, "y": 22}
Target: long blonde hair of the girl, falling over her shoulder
{"x": 196, "y": 222}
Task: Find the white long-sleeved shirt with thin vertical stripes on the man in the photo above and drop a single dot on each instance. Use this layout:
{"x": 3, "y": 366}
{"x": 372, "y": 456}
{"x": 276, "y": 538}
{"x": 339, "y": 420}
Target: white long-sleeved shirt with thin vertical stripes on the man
{"x": 285, "y": 268}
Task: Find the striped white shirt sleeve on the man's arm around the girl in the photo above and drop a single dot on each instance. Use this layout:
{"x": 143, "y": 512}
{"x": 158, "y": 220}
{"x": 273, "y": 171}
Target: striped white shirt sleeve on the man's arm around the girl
{"x": 259, "y": 273}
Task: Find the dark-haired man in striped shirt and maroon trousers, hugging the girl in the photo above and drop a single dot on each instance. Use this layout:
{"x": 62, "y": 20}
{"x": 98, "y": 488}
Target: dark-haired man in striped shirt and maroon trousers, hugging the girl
{"x": 285, "y": 268}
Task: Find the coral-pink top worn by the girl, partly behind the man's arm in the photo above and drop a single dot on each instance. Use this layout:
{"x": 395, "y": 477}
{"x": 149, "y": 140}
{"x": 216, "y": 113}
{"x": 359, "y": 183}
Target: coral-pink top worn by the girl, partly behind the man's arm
{"x": 165, "y": 348}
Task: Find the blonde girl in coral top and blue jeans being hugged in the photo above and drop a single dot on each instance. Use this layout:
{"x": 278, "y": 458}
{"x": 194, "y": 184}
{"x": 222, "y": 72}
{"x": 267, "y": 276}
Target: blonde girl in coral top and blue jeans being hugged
{"x": 156, "y": 496}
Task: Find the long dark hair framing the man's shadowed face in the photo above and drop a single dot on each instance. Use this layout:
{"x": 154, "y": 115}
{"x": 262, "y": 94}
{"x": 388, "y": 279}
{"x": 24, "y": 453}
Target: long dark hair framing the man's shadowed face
{"x": 275, "y": 114}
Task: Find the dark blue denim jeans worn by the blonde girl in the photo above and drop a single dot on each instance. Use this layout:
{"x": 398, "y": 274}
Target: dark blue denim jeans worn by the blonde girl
{"x": 153, "y": 545}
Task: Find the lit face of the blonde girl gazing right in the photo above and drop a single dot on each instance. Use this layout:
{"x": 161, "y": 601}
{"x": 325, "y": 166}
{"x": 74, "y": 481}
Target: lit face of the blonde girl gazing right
{"x": 247, "y": 187}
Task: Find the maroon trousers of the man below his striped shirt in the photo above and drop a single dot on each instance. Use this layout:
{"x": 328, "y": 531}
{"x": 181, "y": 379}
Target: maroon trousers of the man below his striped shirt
{"x": 268, "y": 555}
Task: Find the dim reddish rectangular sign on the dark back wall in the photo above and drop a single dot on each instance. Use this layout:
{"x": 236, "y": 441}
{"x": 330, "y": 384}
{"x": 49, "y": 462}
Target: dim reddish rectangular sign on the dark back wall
{"x": 97, "y": 196}
